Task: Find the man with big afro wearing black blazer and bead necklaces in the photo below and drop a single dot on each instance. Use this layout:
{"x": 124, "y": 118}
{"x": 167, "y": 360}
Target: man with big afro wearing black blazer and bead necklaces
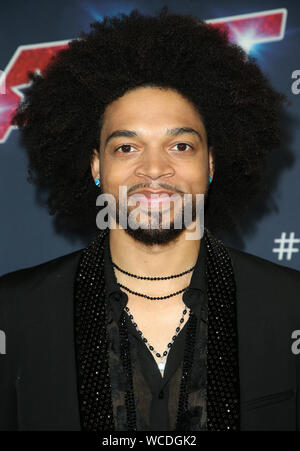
{"x": 146, "y": 328}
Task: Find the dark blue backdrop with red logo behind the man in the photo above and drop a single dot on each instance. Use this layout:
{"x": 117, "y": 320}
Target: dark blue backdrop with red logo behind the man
{"x": 32, "y": 31}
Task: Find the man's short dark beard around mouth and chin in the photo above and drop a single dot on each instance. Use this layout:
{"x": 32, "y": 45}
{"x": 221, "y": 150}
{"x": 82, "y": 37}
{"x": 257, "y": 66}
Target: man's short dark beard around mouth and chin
{"x": 157, "y": 234}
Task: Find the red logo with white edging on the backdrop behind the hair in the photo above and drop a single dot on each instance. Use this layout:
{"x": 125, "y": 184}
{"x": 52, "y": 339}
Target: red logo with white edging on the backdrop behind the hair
{"x": 246, "y": 30}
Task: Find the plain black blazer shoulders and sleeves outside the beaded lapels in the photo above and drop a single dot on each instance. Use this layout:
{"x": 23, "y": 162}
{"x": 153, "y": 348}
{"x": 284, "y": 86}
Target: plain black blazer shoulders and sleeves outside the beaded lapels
{"x": 38, "y": 380}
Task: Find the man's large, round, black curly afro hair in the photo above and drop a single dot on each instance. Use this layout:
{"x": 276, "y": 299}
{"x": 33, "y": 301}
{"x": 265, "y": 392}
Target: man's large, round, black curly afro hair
{"x": 61, "y": 115}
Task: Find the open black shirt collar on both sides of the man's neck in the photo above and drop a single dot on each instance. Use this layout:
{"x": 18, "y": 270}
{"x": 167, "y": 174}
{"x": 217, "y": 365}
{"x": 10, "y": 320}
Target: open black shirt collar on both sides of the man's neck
{"x": 194, "y": 297}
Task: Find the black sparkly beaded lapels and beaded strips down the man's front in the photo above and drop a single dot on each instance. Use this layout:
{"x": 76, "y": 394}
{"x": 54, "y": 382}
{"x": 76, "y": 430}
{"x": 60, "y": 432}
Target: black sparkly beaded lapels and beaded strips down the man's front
{"x": 91, "y": 345}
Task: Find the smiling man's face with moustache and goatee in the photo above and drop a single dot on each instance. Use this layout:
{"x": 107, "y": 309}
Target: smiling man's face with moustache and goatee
{"x": 153, "y": 154}
